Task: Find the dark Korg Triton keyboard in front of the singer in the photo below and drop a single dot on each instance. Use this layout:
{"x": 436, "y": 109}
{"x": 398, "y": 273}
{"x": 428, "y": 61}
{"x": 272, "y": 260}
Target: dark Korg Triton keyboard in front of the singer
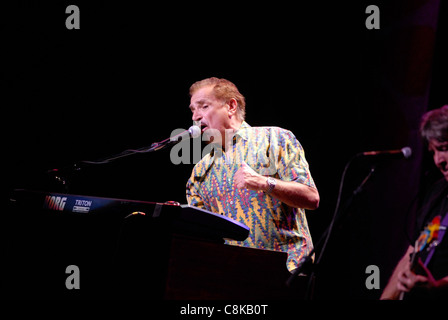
{"x": 185, "y": 218}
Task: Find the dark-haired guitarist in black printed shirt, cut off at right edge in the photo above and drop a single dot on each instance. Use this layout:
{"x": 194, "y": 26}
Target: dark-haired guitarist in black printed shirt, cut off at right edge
{"x": 422, "y": 273}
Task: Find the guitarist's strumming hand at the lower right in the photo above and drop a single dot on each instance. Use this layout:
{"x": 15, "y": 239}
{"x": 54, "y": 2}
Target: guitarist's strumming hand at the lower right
{"x": 407, "y": 279}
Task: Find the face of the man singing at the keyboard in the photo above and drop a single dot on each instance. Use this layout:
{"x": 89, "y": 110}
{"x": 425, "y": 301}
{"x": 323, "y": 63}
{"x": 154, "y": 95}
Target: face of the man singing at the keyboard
{"x": 212, "y": 113}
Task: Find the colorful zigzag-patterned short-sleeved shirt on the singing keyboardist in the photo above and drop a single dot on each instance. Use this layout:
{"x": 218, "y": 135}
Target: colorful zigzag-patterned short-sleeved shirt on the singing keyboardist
{"x": 270, "y": 151}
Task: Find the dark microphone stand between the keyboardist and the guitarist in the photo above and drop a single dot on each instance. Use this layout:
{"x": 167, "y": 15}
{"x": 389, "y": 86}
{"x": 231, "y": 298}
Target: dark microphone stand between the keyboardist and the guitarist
{"x": 306, "y": 264}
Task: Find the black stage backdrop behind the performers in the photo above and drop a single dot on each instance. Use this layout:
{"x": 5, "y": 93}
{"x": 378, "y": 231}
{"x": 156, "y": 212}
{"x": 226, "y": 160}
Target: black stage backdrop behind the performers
{"x": 121, "y": 81}
